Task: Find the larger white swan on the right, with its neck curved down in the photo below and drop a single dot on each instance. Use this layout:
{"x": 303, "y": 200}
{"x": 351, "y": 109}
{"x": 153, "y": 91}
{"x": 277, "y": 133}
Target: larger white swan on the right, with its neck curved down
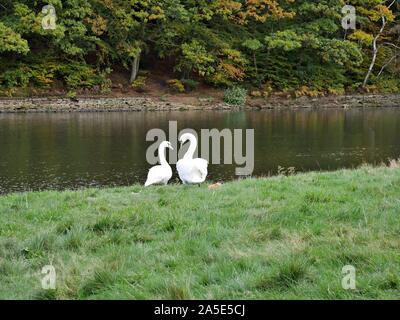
{"x": 191, "y": 171}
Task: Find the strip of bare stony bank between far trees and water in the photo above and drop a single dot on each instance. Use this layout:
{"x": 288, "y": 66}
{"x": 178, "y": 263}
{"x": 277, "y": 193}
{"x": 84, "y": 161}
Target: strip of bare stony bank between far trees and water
{"x": 108, "y": 104}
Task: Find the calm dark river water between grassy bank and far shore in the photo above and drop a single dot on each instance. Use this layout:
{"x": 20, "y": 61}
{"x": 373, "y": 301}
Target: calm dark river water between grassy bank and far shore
{"x": 58, "y": 151}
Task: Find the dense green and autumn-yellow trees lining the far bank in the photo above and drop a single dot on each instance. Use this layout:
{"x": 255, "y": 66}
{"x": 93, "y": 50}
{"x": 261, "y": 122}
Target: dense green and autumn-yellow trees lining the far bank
{"x": 285, "y": 45}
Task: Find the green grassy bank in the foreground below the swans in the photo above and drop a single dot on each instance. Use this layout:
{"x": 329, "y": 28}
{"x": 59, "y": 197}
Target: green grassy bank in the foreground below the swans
{"x": 276, "y": 238}
